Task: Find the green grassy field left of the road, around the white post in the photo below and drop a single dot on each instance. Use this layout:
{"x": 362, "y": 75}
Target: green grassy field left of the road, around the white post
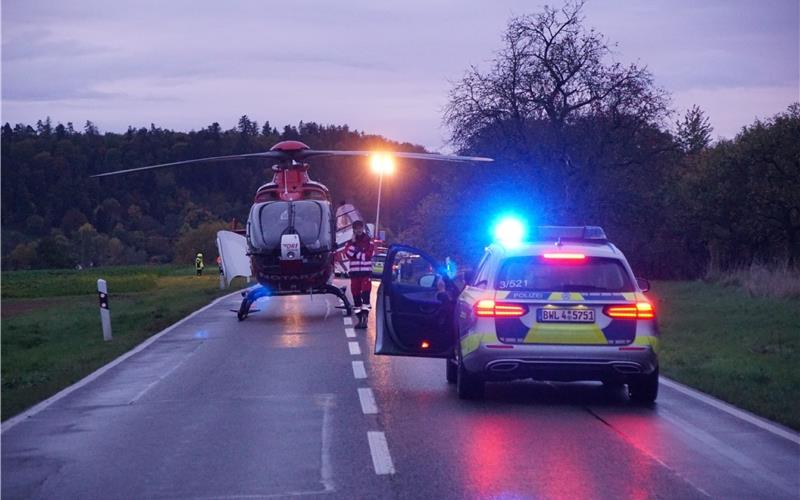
{"x": 51, "y": 333}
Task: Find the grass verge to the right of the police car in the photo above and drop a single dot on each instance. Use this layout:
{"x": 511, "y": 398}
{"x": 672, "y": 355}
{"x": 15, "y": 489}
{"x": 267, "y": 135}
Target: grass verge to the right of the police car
{"x": 736, "y": 347}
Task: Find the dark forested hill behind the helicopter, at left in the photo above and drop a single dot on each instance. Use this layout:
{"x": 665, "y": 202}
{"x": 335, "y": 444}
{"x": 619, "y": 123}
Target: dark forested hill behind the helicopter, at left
{"x": 55, "y": 216}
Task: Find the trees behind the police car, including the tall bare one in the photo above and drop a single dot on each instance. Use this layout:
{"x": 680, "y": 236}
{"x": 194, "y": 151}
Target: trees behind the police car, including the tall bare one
{"x": 581, "y": 139}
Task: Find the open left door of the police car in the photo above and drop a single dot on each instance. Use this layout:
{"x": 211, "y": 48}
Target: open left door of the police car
{"x": 415, "y": 306}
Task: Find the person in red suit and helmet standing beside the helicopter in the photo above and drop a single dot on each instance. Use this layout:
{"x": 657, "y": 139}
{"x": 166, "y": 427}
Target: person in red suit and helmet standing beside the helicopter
{"x": 359, "y": 252}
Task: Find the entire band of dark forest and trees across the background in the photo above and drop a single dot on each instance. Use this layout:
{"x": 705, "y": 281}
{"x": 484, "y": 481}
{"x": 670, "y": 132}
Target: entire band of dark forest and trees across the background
{"x": 578, "y": 140}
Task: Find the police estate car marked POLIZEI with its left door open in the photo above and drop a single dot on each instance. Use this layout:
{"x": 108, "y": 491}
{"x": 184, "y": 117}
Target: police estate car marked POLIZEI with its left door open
{"x": 561, "y": 306}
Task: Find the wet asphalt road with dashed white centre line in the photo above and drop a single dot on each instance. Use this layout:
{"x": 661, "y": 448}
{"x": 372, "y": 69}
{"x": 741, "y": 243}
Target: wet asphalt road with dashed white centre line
{"x": 291, "y": 402}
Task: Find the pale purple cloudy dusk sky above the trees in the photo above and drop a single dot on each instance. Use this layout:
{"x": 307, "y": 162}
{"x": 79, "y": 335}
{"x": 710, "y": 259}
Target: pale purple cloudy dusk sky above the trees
{"x": 380, "y": 67}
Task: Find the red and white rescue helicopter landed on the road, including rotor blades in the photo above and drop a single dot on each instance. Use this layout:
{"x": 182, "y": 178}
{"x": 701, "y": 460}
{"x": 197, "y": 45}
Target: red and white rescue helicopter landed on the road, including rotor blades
{"x": 291, "y": 229}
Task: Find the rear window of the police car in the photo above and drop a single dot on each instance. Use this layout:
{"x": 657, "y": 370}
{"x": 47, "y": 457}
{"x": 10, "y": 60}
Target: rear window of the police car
{"x": 594, "y": 274}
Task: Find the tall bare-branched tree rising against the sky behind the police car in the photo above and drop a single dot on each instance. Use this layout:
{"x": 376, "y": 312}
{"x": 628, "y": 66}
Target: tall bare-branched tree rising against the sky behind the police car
{"x": 554, "y": 97}
